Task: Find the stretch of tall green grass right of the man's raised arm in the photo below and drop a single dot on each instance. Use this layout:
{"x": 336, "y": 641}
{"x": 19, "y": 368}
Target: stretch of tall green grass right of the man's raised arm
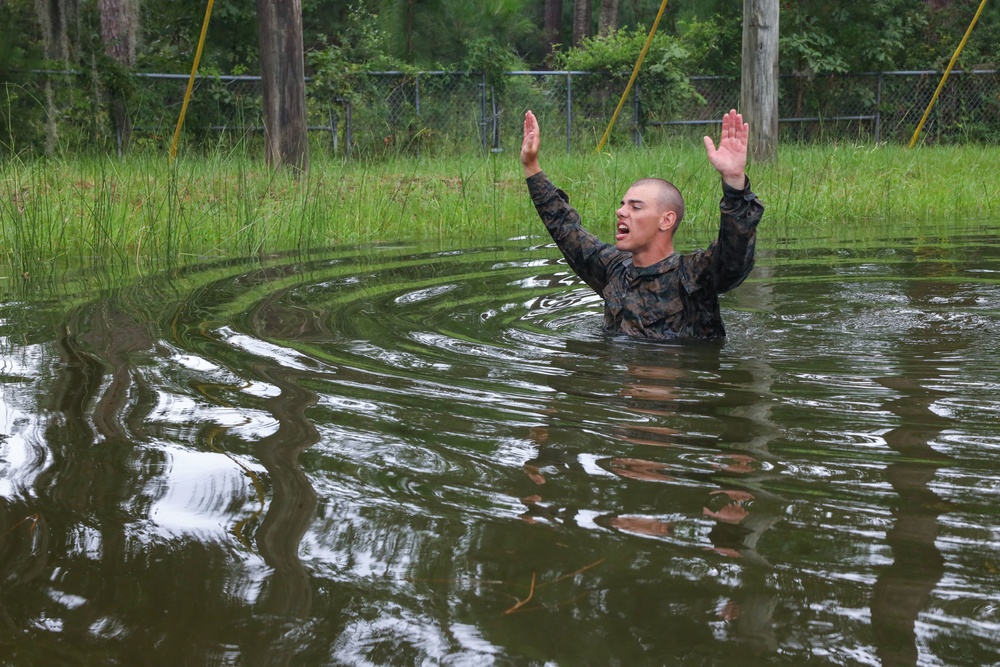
{"x": 878, "y": 192}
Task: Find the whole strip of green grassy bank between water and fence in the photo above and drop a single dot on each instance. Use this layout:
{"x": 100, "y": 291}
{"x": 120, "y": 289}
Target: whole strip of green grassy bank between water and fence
{"x": 144, "y": 211}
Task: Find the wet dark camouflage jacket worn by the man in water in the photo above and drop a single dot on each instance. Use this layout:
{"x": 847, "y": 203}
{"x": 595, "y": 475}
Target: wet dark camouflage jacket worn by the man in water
{"x": 677, "y": 297}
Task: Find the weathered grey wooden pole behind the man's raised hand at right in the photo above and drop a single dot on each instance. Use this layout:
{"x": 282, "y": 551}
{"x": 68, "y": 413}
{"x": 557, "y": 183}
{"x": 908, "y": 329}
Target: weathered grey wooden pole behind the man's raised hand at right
{"x": 759, "y": 88}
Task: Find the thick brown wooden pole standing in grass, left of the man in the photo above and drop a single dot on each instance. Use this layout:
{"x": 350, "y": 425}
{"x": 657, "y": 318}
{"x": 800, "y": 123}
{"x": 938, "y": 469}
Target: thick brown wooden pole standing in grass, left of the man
{"x": 283, "y": 82}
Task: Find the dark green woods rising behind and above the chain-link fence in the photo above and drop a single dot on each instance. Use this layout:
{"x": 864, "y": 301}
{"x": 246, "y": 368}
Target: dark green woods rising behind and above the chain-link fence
{"x": 88, "y": 51}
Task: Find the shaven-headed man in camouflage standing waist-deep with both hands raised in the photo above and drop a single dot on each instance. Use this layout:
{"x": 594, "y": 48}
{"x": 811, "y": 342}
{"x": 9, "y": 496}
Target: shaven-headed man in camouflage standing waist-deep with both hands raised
{"x": 649, "y": 290}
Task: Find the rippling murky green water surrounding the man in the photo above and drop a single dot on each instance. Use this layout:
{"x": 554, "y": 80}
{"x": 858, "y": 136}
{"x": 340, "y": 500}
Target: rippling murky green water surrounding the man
{"x": 403, "y": 455}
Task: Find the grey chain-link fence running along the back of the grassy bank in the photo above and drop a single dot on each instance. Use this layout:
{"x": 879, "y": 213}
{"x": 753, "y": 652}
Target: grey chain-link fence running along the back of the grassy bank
{"x": 430, "y": 113}
